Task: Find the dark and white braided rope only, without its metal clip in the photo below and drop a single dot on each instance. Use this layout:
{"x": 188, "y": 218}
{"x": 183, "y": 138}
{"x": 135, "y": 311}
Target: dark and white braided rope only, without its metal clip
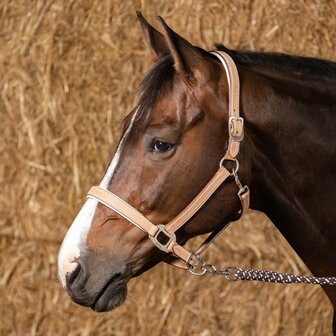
{"x": 268, "y": 276}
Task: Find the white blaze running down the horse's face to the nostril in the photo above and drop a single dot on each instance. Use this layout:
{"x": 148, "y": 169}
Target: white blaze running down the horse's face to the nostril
{"x": 74, "y": 240}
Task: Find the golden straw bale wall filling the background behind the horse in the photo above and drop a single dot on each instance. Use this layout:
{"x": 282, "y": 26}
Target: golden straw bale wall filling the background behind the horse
{"x": 68, "y": 73}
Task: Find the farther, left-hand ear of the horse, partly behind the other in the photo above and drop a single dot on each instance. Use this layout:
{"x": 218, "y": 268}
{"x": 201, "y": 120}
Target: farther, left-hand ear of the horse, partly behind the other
{"x": 154, "y": 38}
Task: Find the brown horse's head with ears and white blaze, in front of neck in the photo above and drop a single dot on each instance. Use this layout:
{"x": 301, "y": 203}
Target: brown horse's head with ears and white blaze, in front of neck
{"x": 170, "y": 147}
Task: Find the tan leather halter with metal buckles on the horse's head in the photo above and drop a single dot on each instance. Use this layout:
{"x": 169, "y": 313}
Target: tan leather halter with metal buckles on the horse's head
{"x": 157, "y": 232}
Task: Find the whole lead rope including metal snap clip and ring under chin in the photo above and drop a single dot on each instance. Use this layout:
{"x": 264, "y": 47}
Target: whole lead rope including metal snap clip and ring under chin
{"x": 198, "y": 267}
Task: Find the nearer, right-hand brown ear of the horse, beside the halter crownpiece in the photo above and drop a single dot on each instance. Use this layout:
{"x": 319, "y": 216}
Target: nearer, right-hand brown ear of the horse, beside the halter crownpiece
{"x": 187, "y": 58}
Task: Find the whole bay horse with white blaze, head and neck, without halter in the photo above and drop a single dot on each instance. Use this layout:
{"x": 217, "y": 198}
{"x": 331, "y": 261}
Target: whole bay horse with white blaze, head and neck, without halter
{"x": 172, "y": 143}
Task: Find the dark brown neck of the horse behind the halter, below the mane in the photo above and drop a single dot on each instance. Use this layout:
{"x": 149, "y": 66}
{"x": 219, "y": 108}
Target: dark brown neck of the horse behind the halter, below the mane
{"x": 289, "y": 139}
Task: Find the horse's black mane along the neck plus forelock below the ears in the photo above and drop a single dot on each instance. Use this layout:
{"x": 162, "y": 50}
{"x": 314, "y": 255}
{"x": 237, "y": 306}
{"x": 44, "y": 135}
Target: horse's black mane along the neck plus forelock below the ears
{"x": 159, "y": 79}
